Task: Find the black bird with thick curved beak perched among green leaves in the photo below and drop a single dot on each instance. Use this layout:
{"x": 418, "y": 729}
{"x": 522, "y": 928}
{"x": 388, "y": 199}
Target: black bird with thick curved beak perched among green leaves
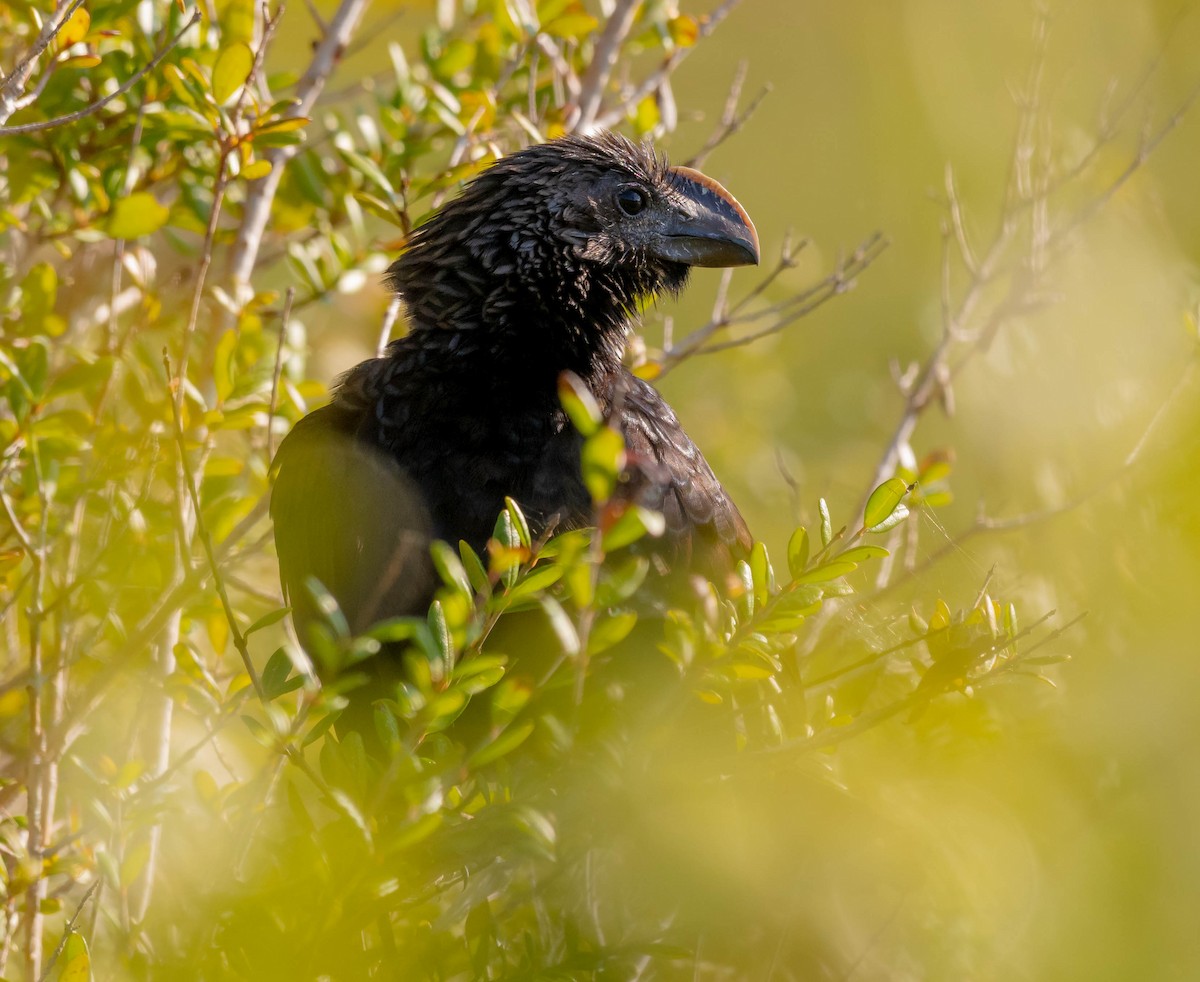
{"x": 538, "y": 268}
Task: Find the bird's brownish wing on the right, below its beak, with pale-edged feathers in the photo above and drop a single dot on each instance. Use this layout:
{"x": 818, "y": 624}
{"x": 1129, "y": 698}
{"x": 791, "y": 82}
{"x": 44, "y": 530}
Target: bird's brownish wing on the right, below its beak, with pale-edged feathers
{"x": 705, "y": 530}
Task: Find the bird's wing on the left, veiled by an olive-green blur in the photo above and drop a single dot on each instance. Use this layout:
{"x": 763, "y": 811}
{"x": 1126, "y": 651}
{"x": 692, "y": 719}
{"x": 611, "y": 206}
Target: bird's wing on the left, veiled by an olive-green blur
{"x": 347, "y": 516}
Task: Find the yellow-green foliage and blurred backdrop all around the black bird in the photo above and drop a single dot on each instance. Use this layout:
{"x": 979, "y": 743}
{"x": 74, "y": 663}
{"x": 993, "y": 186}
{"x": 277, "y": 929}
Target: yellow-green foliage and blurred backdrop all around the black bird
{"x": 777, "y": 827}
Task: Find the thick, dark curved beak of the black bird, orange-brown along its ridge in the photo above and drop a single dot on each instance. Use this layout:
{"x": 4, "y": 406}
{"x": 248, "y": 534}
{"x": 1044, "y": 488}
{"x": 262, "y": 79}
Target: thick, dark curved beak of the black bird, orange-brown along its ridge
{"x": 710, "y": 229}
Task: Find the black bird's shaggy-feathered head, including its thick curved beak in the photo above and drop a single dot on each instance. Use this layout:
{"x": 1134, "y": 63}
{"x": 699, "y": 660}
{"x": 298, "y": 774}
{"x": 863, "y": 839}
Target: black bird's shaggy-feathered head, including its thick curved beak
{"x": 566, "y": 239}
